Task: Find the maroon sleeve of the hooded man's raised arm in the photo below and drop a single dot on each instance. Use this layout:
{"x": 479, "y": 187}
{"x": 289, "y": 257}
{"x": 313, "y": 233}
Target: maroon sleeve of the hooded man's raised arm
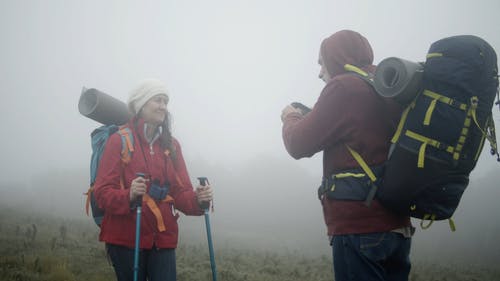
{"x": 329, "y": 122}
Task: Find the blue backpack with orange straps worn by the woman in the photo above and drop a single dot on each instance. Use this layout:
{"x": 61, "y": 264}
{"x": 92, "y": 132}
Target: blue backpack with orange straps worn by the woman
{"x": 99, "y": 138}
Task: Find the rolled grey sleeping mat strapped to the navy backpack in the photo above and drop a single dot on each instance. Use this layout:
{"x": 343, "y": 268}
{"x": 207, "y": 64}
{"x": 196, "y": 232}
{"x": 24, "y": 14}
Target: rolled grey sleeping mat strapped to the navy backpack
{"x": 399, "y": 79}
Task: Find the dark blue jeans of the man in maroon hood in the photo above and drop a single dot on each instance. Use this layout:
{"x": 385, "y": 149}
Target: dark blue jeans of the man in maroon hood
{"x": 381, "y": 256}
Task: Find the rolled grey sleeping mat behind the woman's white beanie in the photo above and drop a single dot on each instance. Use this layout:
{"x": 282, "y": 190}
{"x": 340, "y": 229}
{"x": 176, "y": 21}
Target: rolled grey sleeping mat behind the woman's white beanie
{"x": 102, "y": 107}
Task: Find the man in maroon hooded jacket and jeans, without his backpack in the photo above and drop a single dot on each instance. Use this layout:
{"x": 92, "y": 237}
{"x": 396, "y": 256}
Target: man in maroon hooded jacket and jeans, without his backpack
{"x": 368, "y": 241}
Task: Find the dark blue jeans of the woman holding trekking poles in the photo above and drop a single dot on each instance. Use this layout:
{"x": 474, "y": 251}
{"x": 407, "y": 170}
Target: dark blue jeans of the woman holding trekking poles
{"x": 154, "y": 264}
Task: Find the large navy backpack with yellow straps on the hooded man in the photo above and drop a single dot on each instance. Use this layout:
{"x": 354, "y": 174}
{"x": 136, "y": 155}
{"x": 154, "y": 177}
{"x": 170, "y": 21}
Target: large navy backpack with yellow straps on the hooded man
{"x": 439, "y": 137}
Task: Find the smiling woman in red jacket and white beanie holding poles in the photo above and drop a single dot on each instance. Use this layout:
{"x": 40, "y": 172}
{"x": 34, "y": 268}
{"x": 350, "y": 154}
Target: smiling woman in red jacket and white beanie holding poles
{"x": 154, "y": 176}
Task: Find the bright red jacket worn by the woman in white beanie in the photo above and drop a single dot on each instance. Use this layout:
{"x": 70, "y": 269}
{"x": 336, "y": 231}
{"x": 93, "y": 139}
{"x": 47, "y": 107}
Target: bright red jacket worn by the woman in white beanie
{"x": 118, "y": 225}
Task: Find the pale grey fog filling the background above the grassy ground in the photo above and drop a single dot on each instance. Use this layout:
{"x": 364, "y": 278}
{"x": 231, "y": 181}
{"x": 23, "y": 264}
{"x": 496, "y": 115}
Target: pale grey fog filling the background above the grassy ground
{"x": 230, "y": 67}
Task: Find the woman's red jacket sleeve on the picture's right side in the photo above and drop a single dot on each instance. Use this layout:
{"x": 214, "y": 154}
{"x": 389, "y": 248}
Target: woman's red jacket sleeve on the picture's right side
{"x": 182, "y": 191}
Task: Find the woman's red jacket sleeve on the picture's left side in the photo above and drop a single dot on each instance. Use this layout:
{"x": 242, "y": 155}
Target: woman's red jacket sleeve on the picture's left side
{"x": 108, "y": 193}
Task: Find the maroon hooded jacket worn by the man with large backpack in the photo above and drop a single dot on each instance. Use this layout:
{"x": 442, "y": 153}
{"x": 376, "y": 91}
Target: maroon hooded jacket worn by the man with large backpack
{"x": 350, "y": 112}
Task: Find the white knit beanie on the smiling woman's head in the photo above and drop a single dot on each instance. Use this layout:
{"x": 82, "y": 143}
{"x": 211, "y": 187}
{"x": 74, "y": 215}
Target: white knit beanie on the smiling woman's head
{"x": 147, "y": 89}
